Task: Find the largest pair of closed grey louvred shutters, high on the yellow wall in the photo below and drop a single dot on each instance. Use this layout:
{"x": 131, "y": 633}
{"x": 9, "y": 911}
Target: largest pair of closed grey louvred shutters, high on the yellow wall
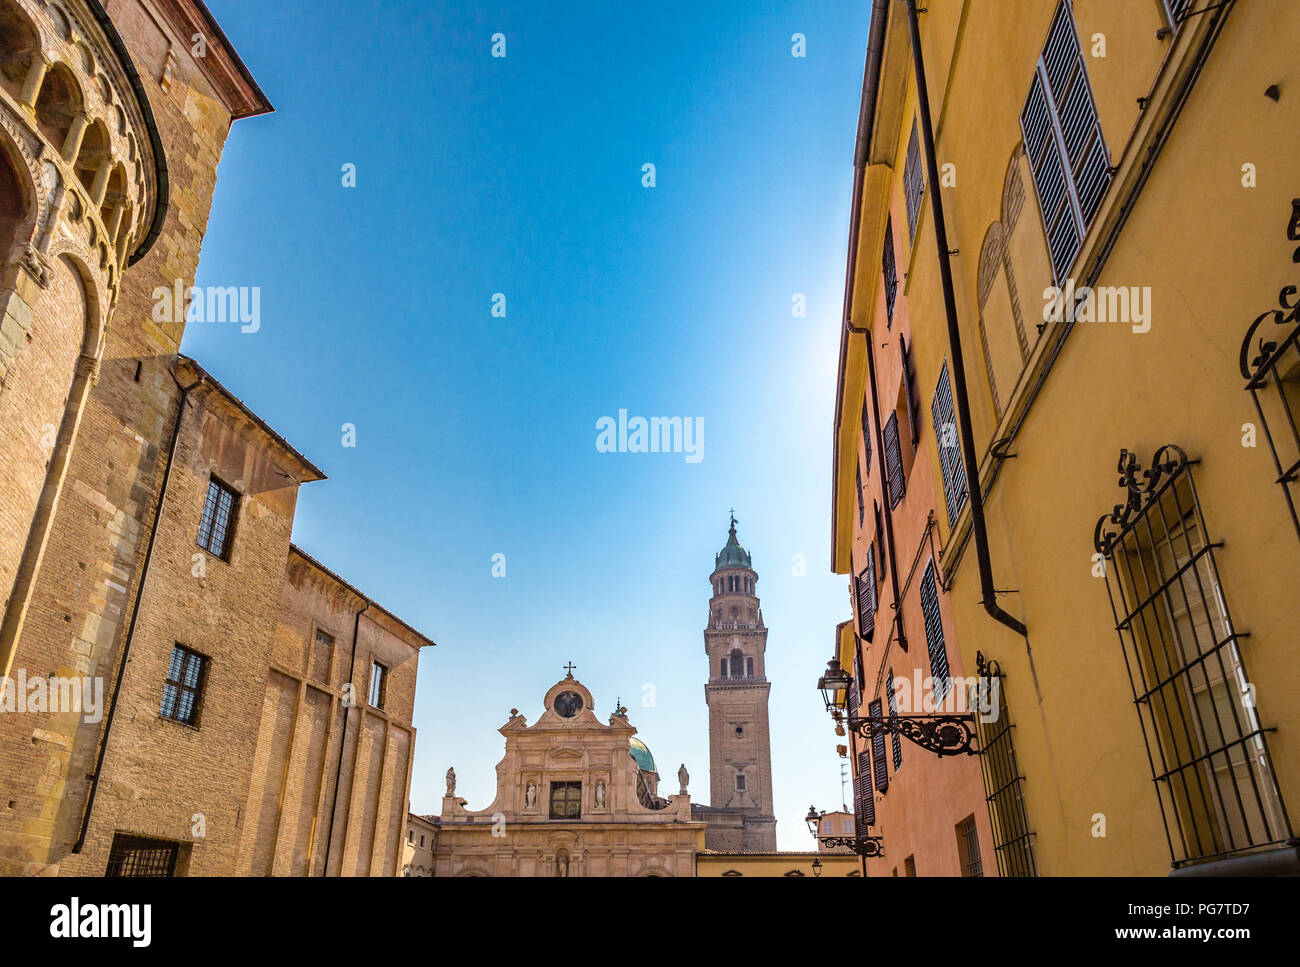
{"x": 1064, "y": 142}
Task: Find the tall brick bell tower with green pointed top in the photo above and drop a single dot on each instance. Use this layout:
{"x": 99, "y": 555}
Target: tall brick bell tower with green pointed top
{"x": 740, "y": 760}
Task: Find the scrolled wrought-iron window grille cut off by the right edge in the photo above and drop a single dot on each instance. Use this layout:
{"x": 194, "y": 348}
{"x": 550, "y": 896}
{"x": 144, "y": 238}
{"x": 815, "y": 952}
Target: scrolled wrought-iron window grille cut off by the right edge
{"x": 1271, "y": 365}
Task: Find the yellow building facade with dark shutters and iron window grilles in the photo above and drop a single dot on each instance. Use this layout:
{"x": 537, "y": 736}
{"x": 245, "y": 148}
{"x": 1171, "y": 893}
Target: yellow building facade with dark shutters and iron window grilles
{"x": 1116, "y": 181}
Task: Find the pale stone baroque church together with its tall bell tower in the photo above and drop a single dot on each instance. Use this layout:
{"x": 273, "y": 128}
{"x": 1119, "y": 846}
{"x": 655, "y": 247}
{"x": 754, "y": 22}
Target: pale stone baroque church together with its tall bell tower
{"x": 582, "y": 797}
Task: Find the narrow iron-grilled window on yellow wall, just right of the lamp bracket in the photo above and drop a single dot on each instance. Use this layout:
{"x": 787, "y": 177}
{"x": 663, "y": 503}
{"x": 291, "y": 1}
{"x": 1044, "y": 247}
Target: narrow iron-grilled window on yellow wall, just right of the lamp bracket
{"x": 1013, "y": 840}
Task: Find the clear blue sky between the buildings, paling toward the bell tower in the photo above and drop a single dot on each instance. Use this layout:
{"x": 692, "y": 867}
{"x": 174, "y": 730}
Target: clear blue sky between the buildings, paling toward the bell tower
{"x": 476, "y": 435}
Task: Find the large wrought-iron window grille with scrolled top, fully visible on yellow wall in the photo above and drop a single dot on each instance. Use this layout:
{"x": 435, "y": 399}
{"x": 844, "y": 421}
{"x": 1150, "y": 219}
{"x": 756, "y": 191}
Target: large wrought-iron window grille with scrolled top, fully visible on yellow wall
{"x": 1219, "y": 793}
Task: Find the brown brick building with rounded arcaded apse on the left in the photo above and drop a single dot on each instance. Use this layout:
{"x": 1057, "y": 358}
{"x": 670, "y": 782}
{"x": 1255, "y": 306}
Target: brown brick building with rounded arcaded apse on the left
{"x": 254, "y": 710}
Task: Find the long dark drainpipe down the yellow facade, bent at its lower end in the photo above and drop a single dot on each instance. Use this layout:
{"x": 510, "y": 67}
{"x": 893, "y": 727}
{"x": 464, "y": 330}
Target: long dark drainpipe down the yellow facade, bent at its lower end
{"x": 955, "y": 344}
